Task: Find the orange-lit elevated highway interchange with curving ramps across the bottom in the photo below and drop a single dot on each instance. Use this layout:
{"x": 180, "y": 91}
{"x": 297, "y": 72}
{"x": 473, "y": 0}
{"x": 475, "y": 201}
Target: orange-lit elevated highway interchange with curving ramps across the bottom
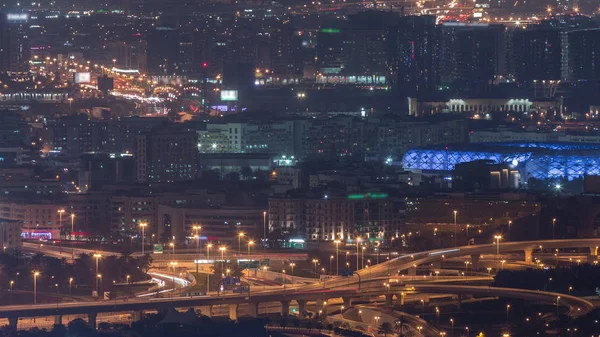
{"x": 400, "y": 275}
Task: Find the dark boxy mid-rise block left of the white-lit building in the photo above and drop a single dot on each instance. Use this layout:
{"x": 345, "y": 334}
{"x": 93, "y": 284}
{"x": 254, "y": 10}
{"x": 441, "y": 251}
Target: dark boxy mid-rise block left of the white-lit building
{"x": 166, "y": 154}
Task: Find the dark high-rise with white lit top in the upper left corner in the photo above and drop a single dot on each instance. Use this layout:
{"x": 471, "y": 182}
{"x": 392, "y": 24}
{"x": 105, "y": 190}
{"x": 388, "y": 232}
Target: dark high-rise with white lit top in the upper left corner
{"x": 14, "y": 42}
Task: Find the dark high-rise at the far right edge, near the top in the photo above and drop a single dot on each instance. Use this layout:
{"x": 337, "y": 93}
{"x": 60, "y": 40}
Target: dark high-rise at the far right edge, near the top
{"x": 581, "y": 54}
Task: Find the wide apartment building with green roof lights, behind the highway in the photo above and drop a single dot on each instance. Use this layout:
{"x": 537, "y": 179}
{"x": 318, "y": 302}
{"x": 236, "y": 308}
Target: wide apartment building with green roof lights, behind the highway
{"x": 373, "y": 216}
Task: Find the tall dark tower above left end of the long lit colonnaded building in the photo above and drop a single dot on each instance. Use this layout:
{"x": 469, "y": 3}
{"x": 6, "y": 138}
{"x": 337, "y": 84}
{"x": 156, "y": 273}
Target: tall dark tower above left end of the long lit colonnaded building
{"x": 413, "y": 54}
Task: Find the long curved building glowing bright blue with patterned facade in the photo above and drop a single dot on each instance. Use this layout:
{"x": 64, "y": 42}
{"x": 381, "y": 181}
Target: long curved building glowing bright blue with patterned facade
{"x": 533, "y": 160}
